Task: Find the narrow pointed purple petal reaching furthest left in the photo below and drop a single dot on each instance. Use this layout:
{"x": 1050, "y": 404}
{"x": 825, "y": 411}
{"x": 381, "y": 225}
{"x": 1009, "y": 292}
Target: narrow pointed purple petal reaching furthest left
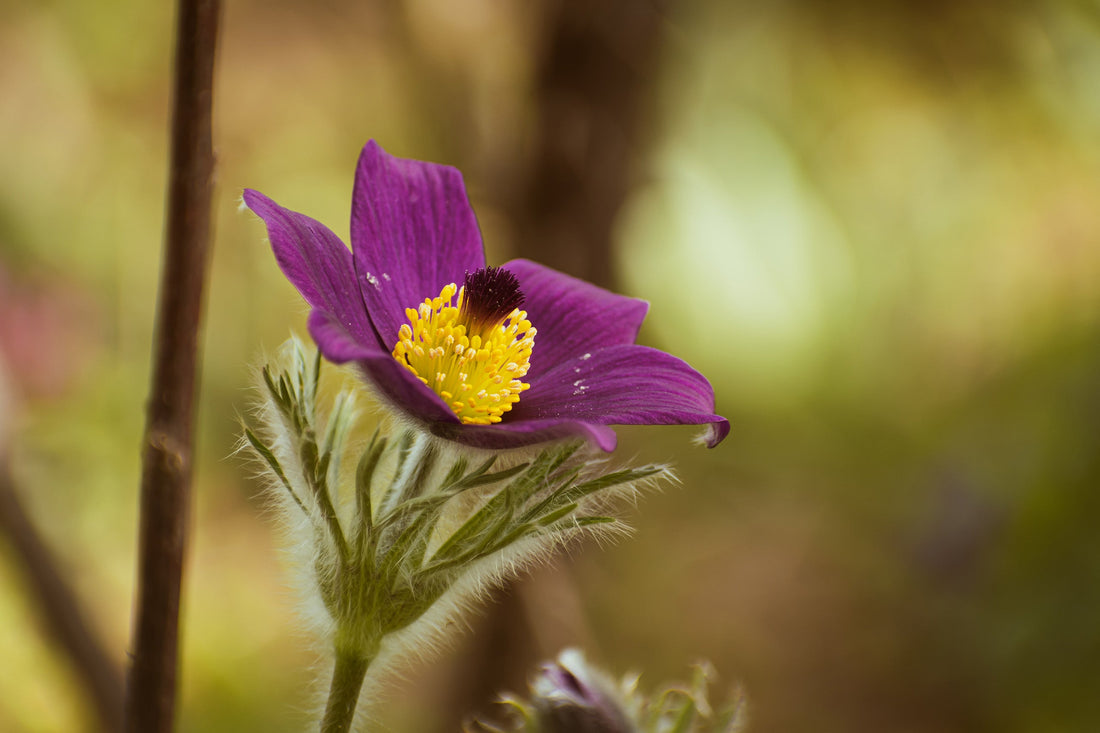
{"x": 318, "y": 265}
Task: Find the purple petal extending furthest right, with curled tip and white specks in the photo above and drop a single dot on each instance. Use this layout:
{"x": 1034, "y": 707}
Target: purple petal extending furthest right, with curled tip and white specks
{"x": 624, "y": 386}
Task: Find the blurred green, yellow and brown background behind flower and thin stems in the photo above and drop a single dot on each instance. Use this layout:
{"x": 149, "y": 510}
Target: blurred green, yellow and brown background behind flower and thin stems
{"x": 875, "y": 226}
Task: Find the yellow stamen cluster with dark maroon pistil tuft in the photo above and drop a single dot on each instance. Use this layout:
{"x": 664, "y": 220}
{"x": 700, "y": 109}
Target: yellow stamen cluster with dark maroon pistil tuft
{"x": 474, "y": 354}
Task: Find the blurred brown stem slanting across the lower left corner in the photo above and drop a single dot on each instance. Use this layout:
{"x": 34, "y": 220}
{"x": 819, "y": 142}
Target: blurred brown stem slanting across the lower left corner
{"x": 61, "y": 609}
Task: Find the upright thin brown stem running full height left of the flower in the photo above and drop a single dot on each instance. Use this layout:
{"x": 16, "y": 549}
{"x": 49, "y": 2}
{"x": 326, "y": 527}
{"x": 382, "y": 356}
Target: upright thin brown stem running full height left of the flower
{"x": 167, "y": 473}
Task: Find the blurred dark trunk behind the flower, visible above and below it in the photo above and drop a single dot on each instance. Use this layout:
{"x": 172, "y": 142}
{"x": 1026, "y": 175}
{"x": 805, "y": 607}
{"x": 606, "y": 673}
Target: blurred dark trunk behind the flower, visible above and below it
{"x": 595, "y": 89}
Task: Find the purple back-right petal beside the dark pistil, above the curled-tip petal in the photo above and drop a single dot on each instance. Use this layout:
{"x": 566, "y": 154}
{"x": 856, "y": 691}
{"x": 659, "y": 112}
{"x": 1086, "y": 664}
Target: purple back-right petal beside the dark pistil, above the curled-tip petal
{"x": 573, "y": 318}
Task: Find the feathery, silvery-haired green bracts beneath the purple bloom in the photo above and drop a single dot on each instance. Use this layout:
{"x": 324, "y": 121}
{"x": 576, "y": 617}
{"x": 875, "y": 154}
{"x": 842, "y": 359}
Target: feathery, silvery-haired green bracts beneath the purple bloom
{"x": 403, "y": 523}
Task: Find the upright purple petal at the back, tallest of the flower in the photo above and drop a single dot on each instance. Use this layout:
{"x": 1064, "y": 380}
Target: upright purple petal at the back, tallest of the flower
{"x": 413, "y": 232}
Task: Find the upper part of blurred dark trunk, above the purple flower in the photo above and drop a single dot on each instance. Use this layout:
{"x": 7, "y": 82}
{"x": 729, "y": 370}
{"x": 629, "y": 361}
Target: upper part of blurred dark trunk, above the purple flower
{"x": 595, "y": 85}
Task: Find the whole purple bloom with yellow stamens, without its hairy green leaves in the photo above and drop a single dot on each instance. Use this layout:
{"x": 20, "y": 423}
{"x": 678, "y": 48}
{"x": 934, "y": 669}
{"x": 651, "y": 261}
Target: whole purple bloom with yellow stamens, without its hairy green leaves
{"x": 493, "y": 358}
